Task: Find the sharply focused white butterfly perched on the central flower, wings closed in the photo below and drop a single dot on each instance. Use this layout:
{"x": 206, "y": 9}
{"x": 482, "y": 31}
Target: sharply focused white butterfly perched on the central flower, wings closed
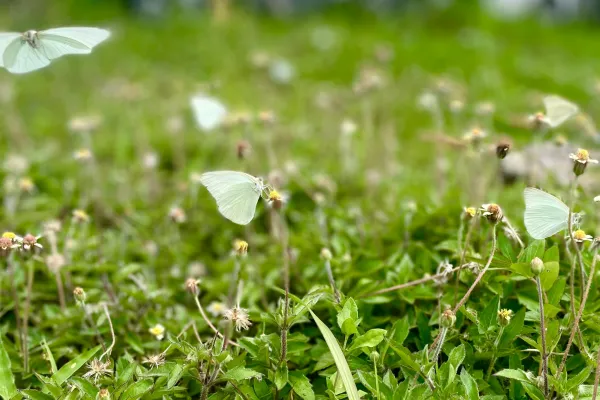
{"x": 236, "y": 193}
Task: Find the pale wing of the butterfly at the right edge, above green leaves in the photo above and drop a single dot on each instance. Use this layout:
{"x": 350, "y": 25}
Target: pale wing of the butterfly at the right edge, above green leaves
{"x": 545, "y": 215}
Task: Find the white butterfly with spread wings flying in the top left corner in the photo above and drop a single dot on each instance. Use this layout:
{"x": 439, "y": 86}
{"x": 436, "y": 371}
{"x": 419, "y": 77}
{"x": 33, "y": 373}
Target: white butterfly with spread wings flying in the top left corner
{"x": 32, "y": 50}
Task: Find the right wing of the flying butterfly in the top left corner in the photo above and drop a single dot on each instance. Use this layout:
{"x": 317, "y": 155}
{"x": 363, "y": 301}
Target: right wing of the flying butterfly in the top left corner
{"x": 58, "y": 42}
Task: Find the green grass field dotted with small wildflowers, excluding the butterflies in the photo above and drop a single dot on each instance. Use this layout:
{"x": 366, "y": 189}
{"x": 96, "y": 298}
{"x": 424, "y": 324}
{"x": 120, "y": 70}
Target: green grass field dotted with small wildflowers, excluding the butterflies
{"x": 101, "y": 156}
